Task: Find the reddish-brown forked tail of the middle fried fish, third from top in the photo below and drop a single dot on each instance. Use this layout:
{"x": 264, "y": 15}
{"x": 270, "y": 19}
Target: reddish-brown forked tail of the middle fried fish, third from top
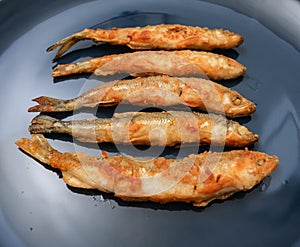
{"x": 47, "y": 104}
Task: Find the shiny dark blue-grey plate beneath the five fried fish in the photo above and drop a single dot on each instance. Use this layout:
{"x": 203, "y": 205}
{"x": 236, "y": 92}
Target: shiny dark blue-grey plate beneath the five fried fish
{"x": 37, "y": 209}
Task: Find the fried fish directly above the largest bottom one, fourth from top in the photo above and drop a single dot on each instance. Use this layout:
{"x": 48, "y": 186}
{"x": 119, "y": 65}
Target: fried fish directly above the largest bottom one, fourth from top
{"x": 151, "y": 128}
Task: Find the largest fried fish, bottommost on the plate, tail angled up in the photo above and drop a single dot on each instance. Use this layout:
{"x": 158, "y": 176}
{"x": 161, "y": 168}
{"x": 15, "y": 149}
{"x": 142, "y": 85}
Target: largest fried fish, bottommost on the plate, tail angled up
{"x": 197, "y": 179}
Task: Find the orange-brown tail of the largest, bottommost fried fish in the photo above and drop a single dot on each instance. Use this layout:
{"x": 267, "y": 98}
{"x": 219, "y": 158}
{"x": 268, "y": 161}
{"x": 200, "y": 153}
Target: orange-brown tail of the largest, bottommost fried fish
{"x": 38, "y": 147}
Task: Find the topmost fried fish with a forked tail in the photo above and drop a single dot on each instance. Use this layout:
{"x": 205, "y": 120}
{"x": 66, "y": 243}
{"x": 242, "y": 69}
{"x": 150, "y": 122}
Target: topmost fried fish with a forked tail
{"x": 164, "y": 36}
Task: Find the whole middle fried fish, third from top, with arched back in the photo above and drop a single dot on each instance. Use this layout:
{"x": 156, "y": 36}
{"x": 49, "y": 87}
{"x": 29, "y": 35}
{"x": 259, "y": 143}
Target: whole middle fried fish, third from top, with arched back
{"x": 156, "y": 91}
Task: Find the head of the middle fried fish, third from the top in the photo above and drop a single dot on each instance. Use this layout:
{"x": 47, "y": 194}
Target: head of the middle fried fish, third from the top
{"x": 236, "y": 105}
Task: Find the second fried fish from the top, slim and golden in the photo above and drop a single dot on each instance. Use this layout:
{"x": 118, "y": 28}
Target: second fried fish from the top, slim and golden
{"x": 173, "y": 63}
